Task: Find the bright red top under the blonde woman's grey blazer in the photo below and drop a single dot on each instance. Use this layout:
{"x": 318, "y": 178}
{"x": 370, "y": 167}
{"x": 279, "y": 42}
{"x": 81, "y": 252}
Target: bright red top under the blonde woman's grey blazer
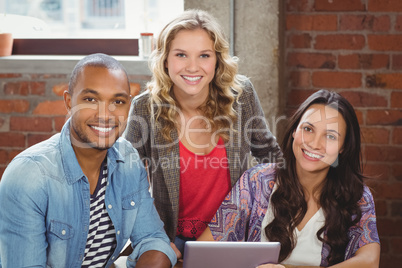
{"x": 204, "y": 183}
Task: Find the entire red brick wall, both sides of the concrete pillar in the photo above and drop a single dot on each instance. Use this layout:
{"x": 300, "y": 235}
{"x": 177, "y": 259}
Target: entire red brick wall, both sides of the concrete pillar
{"x": 351, "y": 46}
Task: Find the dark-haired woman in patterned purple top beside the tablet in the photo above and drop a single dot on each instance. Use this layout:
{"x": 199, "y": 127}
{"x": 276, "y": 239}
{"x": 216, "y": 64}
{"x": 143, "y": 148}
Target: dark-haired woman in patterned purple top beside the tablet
{"x": 318, "y": 207}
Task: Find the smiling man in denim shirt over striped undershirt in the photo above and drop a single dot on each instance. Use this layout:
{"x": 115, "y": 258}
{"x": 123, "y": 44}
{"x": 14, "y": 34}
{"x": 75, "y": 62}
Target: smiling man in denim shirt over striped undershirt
{"x": 75, "y": 199}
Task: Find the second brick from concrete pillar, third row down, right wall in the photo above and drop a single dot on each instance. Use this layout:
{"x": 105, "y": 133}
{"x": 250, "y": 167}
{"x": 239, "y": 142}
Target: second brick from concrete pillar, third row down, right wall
{"x": 340, "y": 41}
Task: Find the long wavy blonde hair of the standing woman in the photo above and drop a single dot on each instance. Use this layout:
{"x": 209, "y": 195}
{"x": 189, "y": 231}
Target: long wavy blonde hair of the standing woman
{"x": 224, "y": 89}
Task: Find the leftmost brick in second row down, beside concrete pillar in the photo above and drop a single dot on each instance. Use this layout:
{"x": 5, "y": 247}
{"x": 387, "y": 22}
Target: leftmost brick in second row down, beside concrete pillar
{"x": 311, "y": 22}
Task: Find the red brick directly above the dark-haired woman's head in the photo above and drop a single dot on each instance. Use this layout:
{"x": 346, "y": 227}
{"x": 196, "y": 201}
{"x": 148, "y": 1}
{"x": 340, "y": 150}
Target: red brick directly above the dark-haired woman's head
{"x": 336, "y": 79}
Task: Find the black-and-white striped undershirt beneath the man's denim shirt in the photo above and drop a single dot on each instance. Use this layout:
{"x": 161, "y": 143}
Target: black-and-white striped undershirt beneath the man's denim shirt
{"x": 101, "y": 240}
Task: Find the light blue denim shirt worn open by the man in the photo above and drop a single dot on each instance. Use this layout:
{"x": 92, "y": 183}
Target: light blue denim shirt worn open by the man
{"x": 45, "y": 206}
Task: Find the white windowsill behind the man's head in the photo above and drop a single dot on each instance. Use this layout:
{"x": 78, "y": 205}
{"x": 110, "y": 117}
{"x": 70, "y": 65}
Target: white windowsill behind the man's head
{"x": 56, "y": 64}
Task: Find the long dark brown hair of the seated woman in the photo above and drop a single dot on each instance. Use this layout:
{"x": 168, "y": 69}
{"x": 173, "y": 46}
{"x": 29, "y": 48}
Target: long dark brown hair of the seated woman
{"x": 340, "y": 192}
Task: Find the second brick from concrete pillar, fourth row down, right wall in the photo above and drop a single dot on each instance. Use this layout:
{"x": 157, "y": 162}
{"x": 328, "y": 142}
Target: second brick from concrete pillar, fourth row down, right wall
{"x": 363, "y": 61}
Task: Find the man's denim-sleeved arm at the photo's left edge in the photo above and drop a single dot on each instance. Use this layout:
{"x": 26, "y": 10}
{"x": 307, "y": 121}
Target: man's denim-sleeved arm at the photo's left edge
{"x": 22, "y": 216}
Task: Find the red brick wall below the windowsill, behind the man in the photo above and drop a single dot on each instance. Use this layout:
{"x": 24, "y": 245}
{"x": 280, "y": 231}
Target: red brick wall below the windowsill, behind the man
{"x": 32, "y": 109}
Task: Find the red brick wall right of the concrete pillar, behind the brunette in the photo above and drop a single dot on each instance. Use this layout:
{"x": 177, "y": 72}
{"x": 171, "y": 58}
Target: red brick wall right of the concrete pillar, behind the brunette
{"x": 355, "y": 47}
